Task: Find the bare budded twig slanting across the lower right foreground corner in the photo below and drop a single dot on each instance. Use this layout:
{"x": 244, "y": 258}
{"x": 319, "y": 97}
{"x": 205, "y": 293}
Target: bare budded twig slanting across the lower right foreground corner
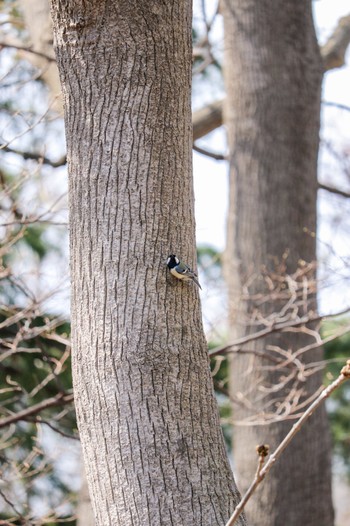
{"x": 263, "y": 471}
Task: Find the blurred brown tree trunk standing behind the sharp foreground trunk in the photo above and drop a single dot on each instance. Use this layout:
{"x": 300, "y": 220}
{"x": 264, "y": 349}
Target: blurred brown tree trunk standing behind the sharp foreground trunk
{"x": 273, "y": 76}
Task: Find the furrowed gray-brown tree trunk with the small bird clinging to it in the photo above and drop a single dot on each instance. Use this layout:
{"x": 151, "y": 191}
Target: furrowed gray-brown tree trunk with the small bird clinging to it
{"x": 148, "y": 421}
